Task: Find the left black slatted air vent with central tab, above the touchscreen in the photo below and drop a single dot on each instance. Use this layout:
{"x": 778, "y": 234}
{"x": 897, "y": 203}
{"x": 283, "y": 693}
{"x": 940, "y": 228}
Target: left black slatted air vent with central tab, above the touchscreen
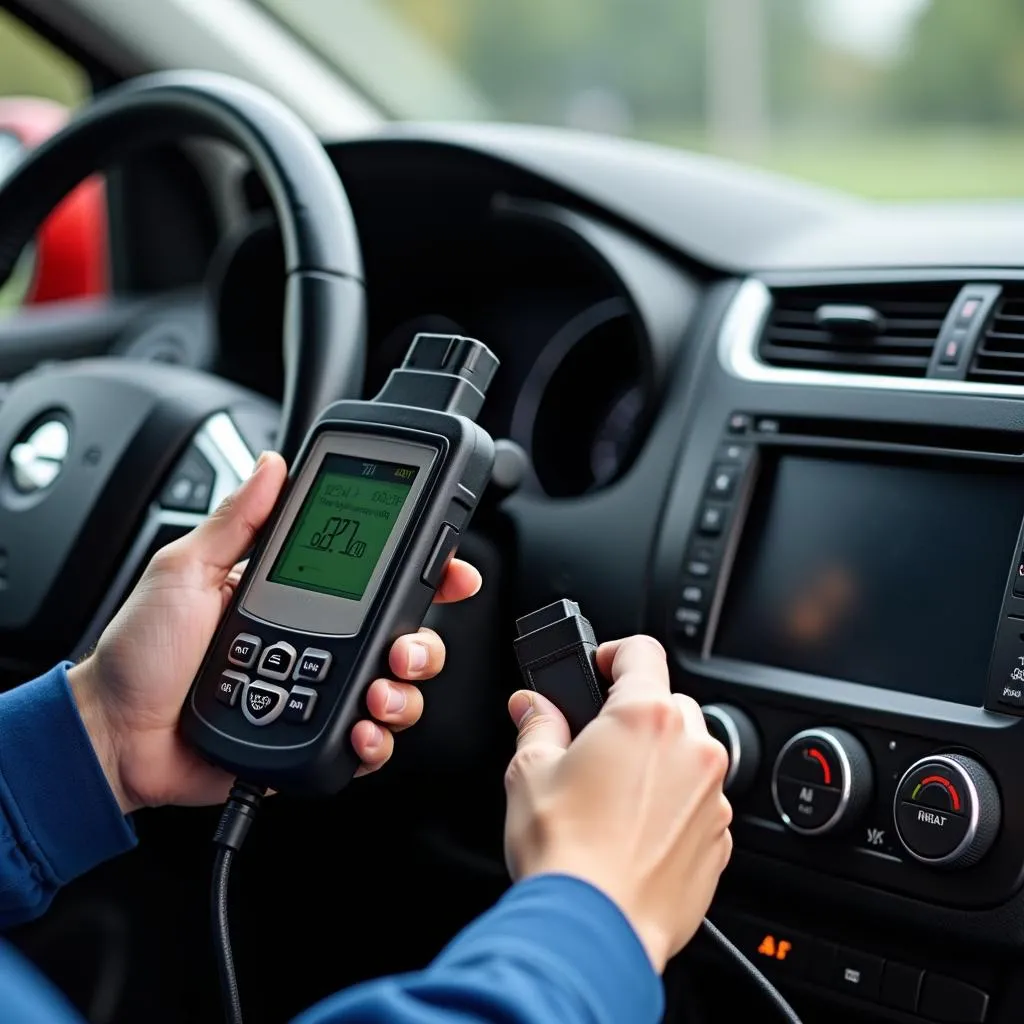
{"x": 860, "y": 329}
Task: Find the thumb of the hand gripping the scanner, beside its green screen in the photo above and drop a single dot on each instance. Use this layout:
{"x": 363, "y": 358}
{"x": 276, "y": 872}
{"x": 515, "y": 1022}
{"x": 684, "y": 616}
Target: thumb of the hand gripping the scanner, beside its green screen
{"x": 224, "y": 539}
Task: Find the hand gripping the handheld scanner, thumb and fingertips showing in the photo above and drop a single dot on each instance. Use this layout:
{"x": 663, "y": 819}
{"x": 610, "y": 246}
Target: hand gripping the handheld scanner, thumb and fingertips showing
{"x": 131, "y": 690}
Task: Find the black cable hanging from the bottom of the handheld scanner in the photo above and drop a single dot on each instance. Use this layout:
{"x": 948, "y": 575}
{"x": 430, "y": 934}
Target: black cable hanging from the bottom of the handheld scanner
{"x": 238, "y": 817}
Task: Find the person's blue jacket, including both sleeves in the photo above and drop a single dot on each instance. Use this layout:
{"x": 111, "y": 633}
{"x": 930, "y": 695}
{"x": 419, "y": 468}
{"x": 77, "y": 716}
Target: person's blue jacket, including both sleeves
{"x": 553, "y": 950}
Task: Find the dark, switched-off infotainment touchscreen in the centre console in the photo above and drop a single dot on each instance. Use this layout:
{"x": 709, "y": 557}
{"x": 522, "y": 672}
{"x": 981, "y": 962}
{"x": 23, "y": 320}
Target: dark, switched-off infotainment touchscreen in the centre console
{"x": 875, "y": 573}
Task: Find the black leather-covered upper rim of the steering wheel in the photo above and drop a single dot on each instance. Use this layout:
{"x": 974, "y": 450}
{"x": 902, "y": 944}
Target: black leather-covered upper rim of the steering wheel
{"x": 325, "y": 321}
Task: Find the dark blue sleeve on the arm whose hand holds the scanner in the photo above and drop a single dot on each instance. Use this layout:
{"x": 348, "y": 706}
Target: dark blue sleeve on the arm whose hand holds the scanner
{"x": 58, "y": 816}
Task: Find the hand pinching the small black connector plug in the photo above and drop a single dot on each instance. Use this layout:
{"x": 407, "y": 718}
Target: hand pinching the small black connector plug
{"x": 635, "y": 806}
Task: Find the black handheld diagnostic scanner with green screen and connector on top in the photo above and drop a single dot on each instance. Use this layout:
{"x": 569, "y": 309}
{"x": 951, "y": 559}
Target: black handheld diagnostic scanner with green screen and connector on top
{"x": 351, "y": 560}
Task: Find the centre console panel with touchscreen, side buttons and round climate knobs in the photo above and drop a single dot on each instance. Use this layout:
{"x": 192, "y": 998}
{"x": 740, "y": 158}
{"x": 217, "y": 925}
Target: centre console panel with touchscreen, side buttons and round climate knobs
{"x": 841, "y": 582}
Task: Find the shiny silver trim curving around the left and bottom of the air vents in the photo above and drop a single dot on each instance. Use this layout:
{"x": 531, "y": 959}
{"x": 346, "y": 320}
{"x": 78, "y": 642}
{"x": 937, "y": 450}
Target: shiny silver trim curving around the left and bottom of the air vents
{"x": 738, "y": 354}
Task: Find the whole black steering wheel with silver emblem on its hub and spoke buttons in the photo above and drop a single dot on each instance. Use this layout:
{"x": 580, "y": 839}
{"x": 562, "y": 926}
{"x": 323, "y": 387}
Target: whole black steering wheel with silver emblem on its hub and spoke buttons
{"x": 96, "y": 451}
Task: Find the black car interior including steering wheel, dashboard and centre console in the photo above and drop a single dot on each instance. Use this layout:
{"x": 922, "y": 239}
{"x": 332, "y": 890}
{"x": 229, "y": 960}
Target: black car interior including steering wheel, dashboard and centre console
{"x": 774, "y": 425}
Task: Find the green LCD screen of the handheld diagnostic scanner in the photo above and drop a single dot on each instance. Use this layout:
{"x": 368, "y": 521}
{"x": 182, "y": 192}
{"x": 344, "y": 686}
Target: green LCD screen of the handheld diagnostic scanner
{"x": 344, "y": 527}
